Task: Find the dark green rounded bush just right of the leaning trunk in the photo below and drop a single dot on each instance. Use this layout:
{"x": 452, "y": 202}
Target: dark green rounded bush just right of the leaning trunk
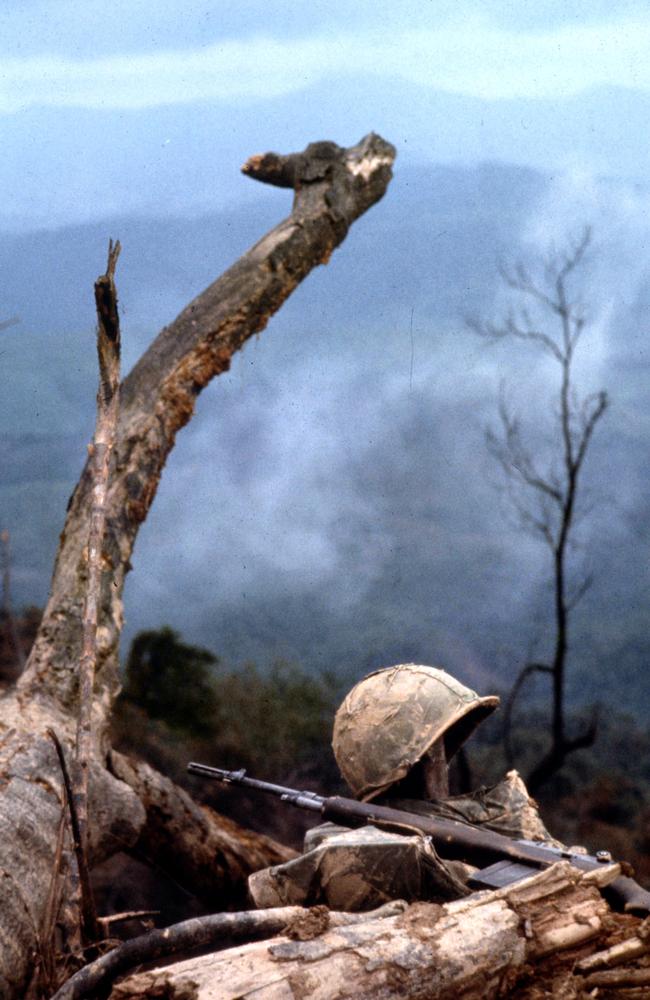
{"x": 171, "y": 681}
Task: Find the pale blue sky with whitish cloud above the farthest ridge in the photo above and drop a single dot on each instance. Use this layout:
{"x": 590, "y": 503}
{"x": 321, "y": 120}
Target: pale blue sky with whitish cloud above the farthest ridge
{"x": 66, "y": 54}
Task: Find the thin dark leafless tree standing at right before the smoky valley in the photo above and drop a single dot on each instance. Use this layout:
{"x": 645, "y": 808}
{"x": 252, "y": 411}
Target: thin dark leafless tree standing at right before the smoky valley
{"x": 545, "y": 493}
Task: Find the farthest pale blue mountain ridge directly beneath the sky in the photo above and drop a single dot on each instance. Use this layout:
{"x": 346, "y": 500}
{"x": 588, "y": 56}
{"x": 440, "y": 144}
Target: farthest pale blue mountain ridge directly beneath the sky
{"x": 70, "y": 164}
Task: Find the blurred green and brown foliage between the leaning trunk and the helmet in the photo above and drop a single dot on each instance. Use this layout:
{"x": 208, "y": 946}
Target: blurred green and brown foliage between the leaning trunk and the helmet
{"x": 178, "y": 702}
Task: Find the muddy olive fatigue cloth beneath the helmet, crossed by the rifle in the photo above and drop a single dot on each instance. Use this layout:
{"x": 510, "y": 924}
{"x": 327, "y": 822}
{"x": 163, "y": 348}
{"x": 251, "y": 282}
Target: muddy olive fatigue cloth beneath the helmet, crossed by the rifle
{"x": 361, "y": 869}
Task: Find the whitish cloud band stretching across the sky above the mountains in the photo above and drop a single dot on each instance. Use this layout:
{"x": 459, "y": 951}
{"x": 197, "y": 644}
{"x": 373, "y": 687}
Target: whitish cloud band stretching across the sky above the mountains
{"x": 472, "y": 58}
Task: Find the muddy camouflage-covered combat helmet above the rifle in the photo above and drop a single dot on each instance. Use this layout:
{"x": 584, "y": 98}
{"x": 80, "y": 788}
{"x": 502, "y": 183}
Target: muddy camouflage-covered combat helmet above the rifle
{"x": 392, "y": 717}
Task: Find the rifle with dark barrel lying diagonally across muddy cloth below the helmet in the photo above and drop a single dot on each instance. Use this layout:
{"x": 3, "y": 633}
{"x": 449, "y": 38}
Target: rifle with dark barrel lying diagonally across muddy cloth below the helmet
{"x": 506, "y": 860}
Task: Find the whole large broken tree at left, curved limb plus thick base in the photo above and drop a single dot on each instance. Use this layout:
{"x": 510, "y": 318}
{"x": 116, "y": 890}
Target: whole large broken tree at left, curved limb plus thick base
{"x": 333, "y": 187}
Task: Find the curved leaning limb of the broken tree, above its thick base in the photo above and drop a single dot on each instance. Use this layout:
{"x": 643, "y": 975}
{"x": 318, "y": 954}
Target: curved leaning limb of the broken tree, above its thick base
{"x": 333, "y": 186}
